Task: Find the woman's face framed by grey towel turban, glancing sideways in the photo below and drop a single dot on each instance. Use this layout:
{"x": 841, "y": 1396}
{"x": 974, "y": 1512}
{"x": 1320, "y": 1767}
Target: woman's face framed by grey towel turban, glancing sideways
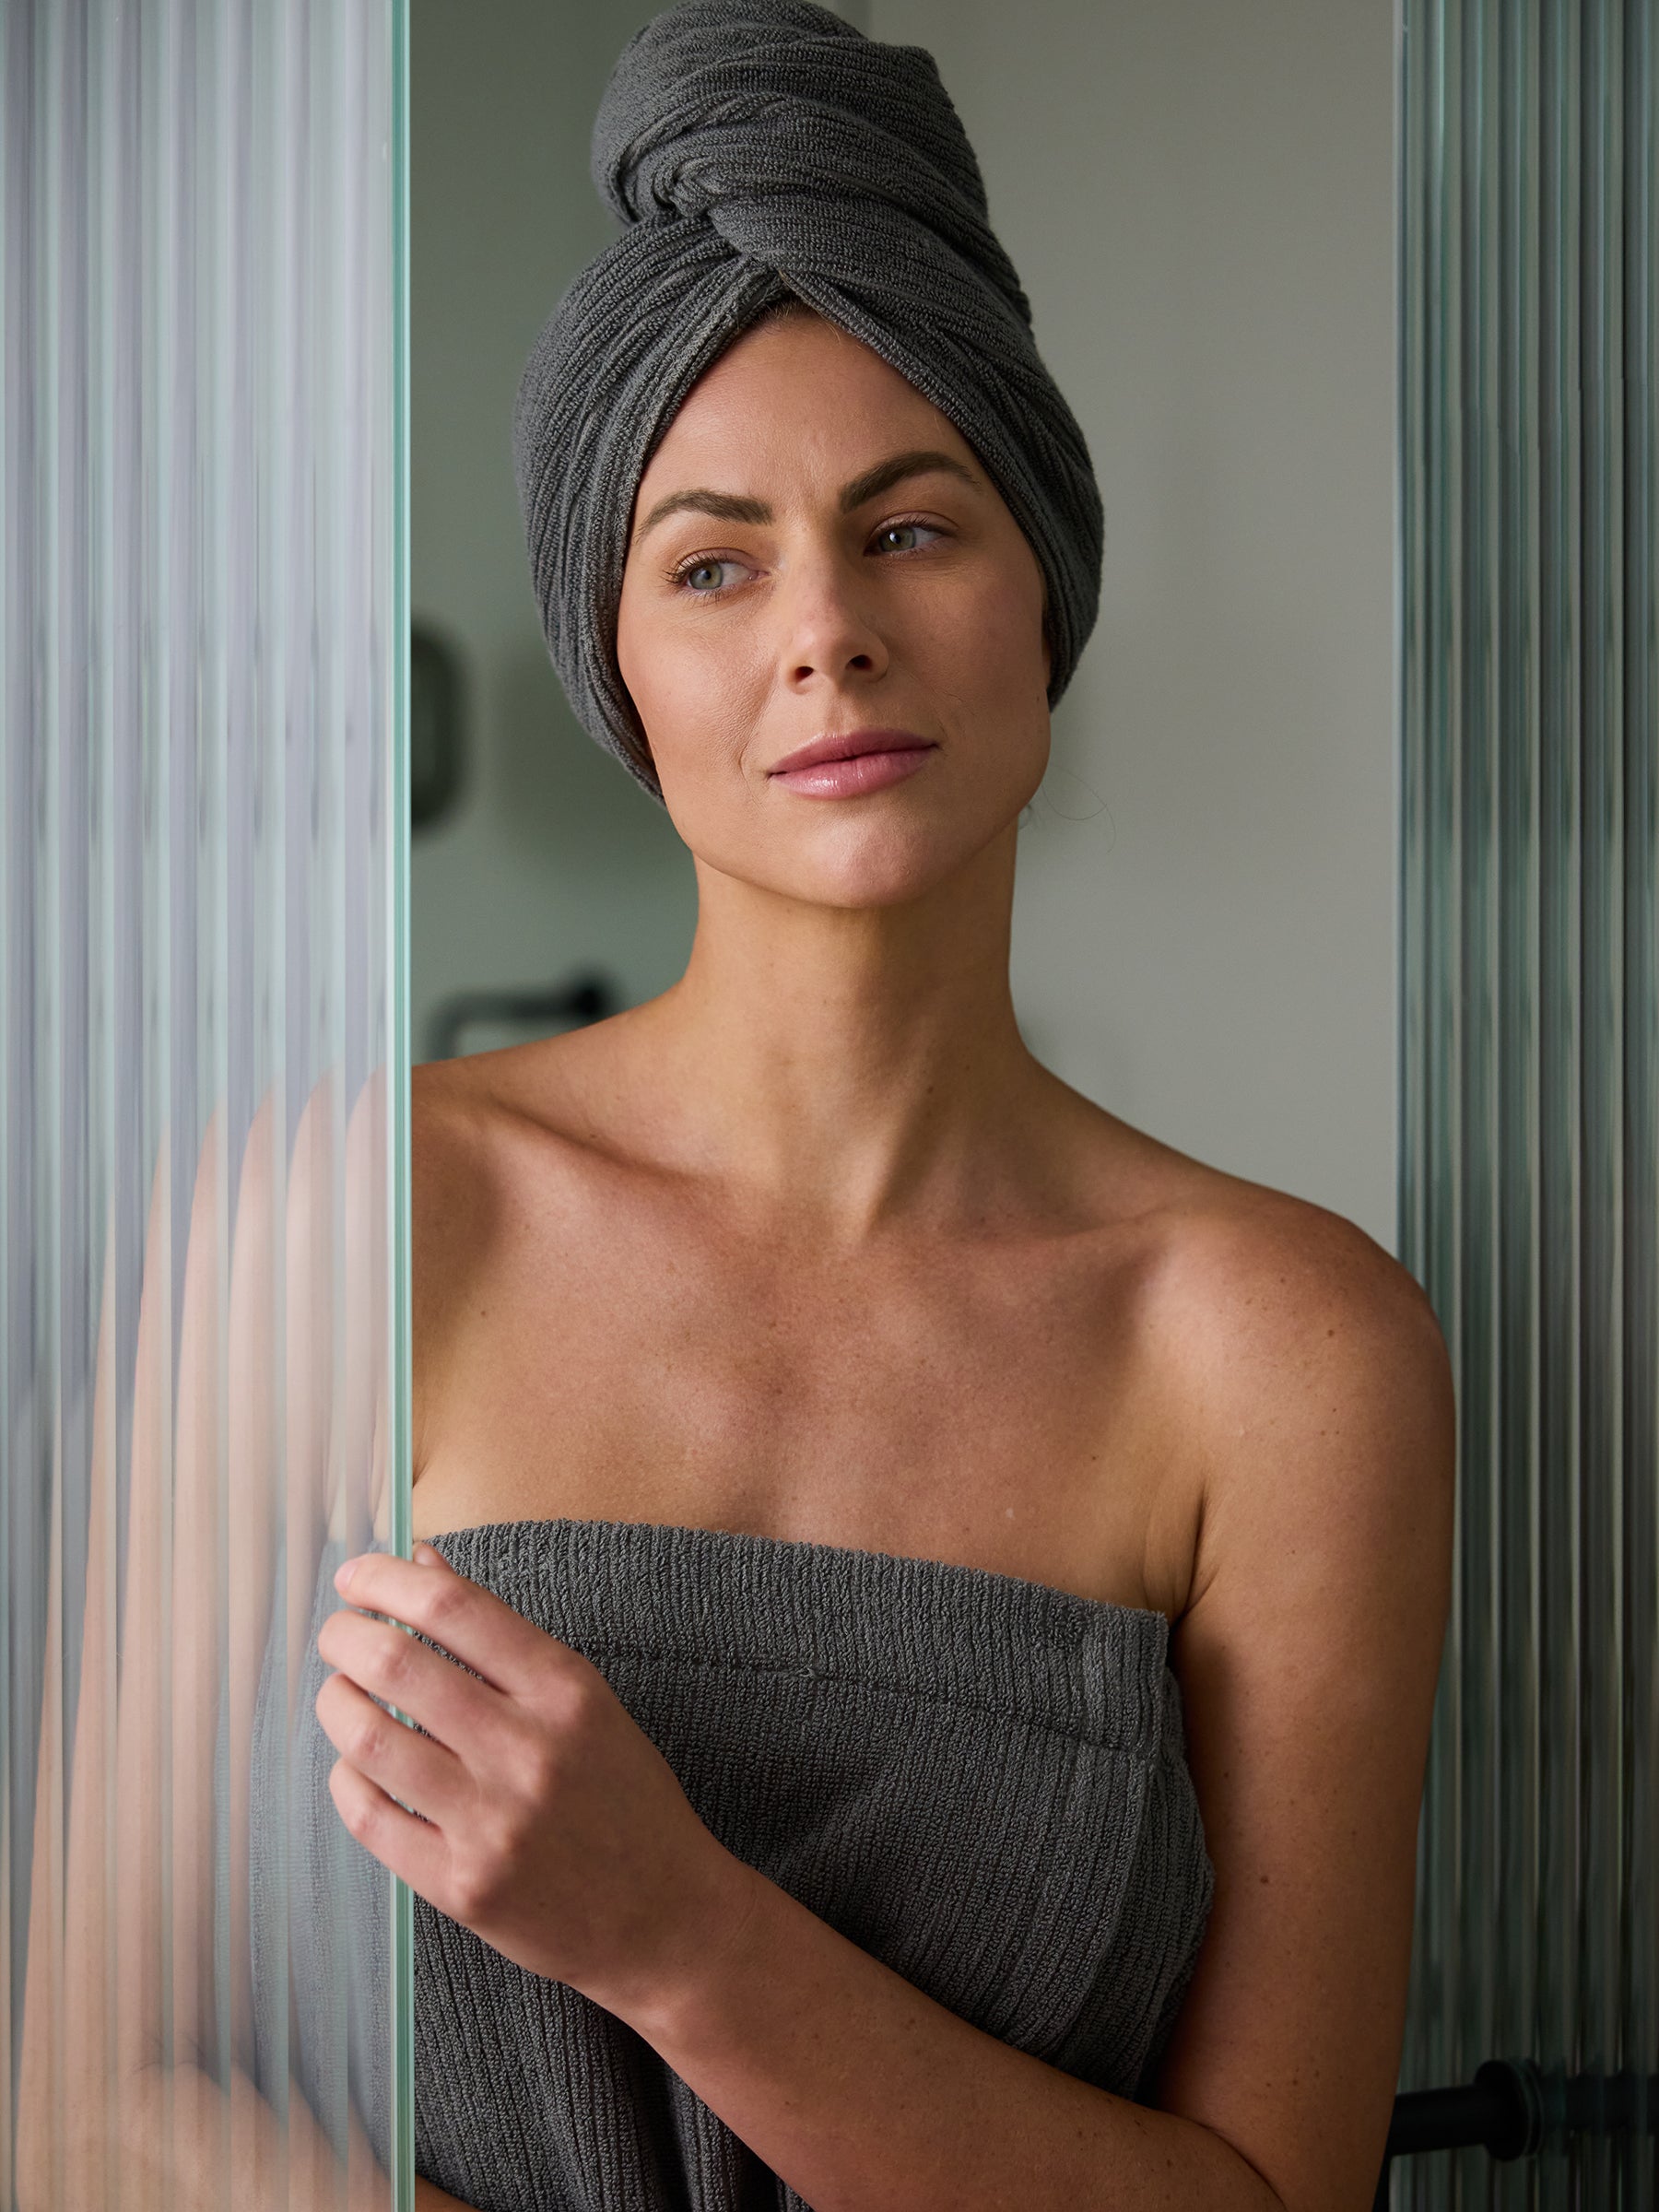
{"x": 817, "y": 552}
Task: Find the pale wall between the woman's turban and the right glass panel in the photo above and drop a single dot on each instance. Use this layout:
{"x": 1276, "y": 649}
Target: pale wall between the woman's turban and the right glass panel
{"x": 1200, "y": 202}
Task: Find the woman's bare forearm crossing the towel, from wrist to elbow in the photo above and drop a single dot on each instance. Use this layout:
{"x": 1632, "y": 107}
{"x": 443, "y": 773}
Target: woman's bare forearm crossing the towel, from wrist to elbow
{"x": 866, "y": 2096}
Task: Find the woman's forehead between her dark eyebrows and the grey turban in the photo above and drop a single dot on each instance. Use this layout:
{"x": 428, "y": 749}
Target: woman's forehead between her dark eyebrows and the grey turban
{"x": 797, "y": 404}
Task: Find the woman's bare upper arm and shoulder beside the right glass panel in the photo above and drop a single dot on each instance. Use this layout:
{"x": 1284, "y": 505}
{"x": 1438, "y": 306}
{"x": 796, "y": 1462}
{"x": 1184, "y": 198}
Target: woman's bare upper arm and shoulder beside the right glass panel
{"x": 1308, "y": 1665}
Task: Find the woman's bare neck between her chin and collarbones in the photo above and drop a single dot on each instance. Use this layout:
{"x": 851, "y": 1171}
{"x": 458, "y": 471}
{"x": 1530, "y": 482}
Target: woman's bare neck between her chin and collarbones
{"x": 842, "y": 1067}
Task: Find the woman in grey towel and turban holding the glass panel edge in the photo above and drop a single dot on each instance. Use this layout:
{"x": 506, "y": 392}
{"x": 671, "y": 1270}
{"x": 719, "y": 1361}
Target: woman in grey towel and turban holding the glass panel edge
{"x": 950, "y": 1587}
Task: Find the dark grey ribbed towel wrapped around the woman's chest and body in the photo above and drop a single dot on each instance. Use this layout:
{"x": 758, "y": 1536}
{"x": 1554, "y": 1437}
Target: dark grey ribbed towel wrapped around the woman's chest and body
{"x": 977, "y": 1780}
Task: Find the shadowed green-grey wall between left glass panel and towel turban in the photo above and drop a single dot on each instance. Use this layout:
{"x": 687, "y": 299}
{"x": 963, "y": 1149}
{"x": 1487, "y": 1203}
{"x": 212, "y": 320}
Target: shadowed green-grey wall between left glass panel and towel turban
{"x": 554, "y": 857}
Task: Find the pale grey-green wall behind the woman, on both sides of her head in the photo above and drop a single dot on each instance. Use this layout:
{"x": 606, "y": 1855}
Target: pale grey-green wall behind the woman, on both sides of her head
{"x": 1200, "y": 202}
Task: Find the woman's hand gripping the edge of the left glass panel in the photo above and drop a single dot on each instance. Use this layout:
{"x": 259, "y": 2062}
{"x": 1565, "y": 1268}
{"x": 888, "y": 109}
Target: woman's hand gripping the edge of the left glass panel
{"x": 550, "y": 1824}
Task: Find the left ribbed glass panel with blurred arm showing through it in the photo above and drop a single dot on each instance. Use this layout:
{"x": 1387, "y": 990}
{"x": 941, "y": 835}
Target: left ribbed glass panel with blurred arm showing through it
{"x": 202, "y": 1061}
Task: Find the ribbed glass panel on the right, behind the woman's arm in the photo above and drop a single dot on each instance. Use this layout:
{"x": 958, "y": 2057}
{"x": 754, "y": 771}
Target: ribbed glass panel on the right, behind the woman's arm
{"x": 1530, "y": 1065}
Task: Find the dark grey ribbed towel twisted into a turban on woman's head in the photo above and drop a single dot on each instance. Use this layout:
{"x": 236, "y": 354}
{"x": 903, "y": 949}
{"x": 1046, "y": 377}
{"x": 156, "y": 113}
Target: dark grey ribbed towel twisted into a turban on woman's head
{"x": 762, "y": 149}
